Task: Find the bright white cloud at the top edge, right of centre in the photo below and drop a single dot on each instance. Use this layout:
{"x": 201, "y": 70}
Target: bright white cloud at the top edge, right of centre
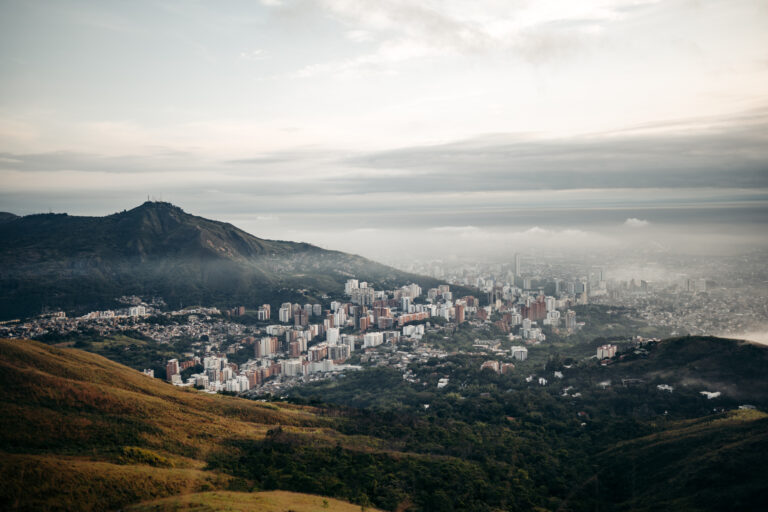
{"x": 405, "y": 30}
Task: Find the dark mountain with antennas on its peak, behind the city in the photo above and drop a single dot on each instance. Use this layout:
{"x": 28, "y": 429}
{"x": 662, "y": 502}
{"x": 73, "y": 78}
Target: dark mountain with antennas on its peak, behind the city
{"x": 157, "y": 249}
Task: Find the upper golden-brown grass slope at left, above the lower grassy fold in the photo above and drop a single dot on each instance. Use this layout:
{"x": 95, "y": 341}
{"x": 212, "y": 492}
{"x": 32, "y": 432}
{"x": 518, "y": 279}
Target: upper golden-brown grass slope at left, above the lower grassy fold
{"x": 76, "y": 399}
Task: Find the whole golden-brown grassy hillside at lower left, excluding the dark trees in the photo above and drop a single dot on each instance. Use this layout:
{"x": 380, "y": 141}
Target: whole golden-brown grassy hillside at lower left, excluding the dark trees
{"x": 80, "y": 432}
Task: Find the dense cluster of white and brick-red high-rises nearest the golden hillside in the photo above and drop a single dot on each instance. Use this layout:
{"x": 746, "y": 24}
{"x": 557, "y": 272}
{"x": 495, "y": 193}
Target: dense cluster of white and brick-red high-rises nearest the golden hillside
{"x": 310, "y": 339}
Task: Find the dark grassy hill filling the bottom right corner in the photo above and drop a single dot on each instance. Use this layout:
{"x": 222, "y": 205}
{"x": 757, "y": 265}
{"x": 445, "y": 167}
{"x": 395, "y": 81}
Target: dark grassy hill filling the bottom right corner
{"x": 705, "y": 464}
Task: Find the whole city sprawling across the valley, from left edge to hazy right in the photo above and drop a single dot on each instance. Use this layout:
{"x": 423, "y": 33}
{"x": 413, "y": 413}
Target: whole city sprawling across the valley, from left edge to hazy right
{"x": 257, "y": 352}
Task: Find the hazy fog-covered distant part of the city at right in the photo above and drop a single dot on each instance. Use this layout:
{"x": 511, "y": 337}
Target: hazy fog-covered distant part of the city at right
{"x": 716, "y": 295}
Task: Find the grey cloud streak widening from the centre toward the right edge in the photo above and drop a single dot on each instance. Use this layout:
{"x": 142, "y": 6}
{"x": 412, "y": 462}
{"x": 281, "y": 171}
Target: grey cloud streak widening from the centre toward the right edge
{"x": 732, "y": 153}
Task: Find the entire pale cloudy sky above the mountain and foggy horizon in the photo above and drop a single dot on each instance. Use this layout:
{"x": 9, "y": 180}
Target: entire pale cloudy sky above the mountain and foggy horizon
{"x": 389, "y": 128}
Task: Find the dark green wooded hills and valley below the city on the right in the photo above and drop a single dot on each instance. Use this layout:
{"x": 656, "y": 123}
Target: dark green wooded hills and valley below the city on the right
{"x": 567, "y": 442}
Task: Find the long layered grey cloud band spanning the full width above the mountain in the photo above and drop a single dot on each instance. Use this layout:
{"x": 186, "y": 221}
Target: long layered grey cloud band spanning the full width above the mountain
{"x": 721, "y": 162}
